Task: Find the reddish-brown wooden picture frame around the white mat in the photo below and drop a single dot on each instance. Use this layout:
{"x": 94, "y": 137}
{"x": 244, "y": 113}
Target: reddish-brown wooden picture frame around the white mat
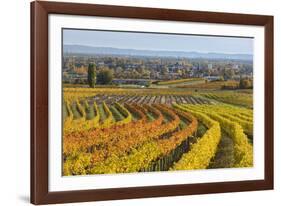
{"x": 39, "y": 102}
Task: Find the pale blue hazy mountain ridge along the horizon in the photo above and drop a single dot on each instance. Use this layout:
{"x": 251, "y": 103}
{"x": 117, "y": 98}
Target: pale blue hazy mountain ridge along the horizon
{"x": 80, "y": 49}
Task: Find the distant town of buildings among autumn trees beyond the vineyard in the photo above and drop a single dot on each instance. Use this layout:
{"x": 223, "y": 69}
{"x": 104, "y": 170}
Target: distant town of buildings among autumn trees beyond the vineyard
{"x": 140, "y": 70}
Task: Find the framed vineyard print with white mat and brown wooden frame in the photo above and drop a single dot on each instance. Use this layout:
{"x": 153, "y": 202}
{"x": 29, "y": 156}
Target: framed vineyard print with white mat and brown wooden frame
{"x": 131, "y": 102}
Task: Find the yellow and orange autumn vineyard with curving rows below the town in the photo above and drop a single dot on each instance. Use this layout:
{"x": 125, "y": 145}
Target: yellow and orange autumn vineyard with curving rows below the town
{"x": 121, "y": 131}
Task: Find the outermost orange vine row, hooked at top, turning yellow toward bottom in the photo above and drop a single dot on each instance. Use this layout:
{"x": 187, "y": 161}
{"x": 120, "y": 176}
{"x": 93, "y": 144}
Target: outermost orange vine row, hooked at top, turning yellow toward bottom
{"x": 143, "y": 156}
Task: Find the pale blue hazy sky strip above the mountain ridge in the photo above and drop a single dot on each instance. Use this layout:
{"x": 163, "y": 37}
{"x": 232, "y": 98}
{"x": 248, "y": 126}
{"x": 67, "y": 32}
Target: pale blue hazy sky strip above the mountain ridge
{"x": 152, "y": 41}
